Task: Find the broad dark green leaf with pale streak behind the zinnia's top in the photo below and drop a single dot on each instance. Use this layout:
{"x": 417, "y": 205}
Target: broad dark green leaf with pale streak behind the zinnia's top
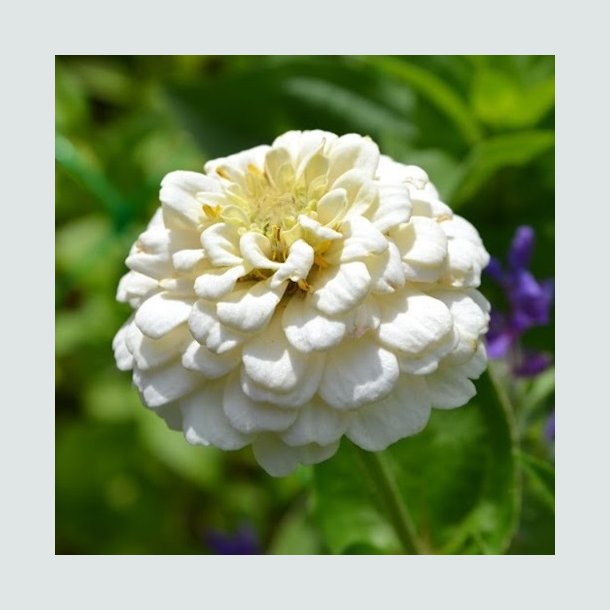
{"x": 245, "y": 107}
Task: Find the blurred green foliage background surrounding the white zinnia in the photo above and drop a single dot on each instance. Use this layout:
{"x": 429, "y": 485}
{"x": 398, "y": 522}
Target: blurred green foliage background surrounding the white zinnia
{"x": 483, "y": 129}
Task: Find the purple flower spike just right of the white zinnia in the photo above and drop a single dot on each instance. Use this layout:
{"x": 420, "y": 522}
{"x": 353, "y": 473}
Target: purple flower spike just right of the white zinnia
{"x": 529, "y": 304}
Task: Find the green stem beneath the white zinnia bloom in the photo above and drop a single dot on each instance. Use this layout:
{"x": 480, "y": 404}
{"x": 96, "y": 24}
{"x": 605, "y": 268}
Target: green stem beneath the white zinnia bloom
{"x": 393, "y": 502}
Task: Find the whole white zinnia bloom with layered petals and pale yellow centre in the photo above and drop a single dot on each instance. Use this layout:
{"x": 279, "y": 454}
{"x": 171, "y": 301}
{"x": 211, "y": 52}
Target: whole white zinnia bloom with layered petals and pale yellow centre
{"x": 299, "y": 292}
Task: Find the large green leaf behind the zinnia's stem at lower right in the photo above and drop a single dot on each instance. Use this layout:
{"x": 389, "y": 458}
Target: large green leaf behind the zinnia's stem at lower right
{"x": 458, "y": 478}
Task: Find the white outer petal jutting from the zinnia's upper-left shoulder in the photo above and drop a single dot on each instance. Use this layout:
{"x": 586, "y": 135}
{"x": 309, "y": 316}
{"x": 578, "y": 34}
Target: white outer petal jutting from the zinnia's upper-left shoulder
{"x": 178, "y": 190}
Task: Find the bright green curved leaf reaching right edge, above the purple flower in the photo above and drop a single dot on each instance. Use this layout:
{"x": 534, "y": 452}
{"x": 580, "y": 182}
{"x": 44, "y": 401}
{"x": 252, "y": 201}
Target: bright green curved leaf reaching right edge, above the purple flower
{"x": 494, "y": 154}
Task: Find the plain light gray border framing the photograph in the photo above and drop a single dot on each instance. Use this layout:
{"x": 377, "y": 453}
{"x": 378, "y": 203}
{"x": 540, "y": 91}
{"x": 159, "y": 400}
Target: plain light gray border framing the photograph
{"x": 33, "y": 577}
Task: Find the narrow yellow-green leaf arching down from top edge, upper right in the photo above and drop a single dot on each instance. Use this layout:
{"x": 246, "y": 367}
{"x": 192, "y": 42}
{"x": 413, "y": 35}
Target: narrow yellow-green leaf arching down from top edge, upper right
{"x": 435, "y": 90}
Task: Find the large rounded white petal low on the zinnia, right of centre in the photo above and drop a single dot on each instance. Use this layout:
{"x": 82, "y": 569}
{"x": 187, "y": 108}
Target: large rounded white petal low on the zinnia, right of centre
{"x": 358, "y": 372}
